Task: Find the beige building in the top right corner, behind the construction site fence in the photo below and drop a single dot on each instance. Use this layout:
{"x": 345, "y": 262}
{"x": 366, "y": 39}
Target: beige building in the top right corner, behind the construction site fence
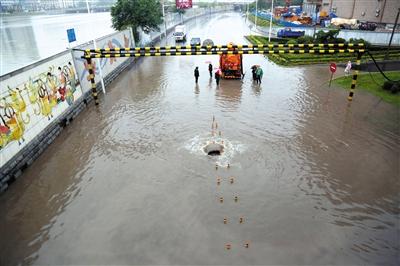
{"x": 380, "y": 11}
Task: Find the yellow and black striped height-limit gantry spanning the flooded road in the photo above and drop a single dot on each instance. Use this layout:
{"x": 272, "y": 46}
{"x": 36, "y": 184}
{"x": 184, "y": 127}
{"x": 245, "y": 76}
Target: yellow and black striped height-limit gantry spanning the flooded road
{"x": 329, "y": 48}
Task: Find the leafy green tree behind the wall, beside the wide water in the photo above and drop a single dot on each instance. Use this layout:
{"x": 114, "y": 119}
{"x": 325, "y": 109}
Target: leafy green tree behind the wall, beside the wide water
{"x": 146, "y": 14}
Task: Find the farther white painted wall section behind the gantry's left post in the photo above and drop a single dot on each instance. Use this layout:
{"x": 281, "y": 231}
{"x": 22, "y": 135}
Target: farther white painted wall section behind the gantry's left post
{"x": 119, "y": 39}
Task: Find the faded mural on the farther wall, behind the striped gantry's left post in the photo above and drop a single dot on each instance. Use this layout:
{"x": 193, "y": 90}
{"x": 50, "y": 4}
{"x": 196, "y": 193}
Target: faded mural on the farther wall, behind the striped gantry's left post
{"x": 119, "y": 40}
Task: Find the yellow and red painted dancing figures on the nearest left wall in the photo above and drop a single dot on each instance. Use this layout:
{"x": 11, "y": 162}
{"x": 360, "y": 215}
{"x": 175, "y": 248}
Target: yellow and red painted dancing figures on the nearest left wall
{"x": 41, "y": 93}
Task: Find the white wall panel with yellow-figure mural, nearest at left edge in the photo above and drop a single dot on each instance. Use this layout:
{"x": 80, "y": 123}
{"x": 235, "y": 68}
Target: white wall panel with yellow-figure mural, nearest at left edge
{"x": 33, "y": 99}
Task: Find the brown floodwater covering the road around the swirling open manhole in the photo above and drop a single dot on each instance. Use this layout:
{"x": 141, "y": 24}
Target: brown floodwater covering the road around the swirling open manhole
{"x": 317, "y": 178}
